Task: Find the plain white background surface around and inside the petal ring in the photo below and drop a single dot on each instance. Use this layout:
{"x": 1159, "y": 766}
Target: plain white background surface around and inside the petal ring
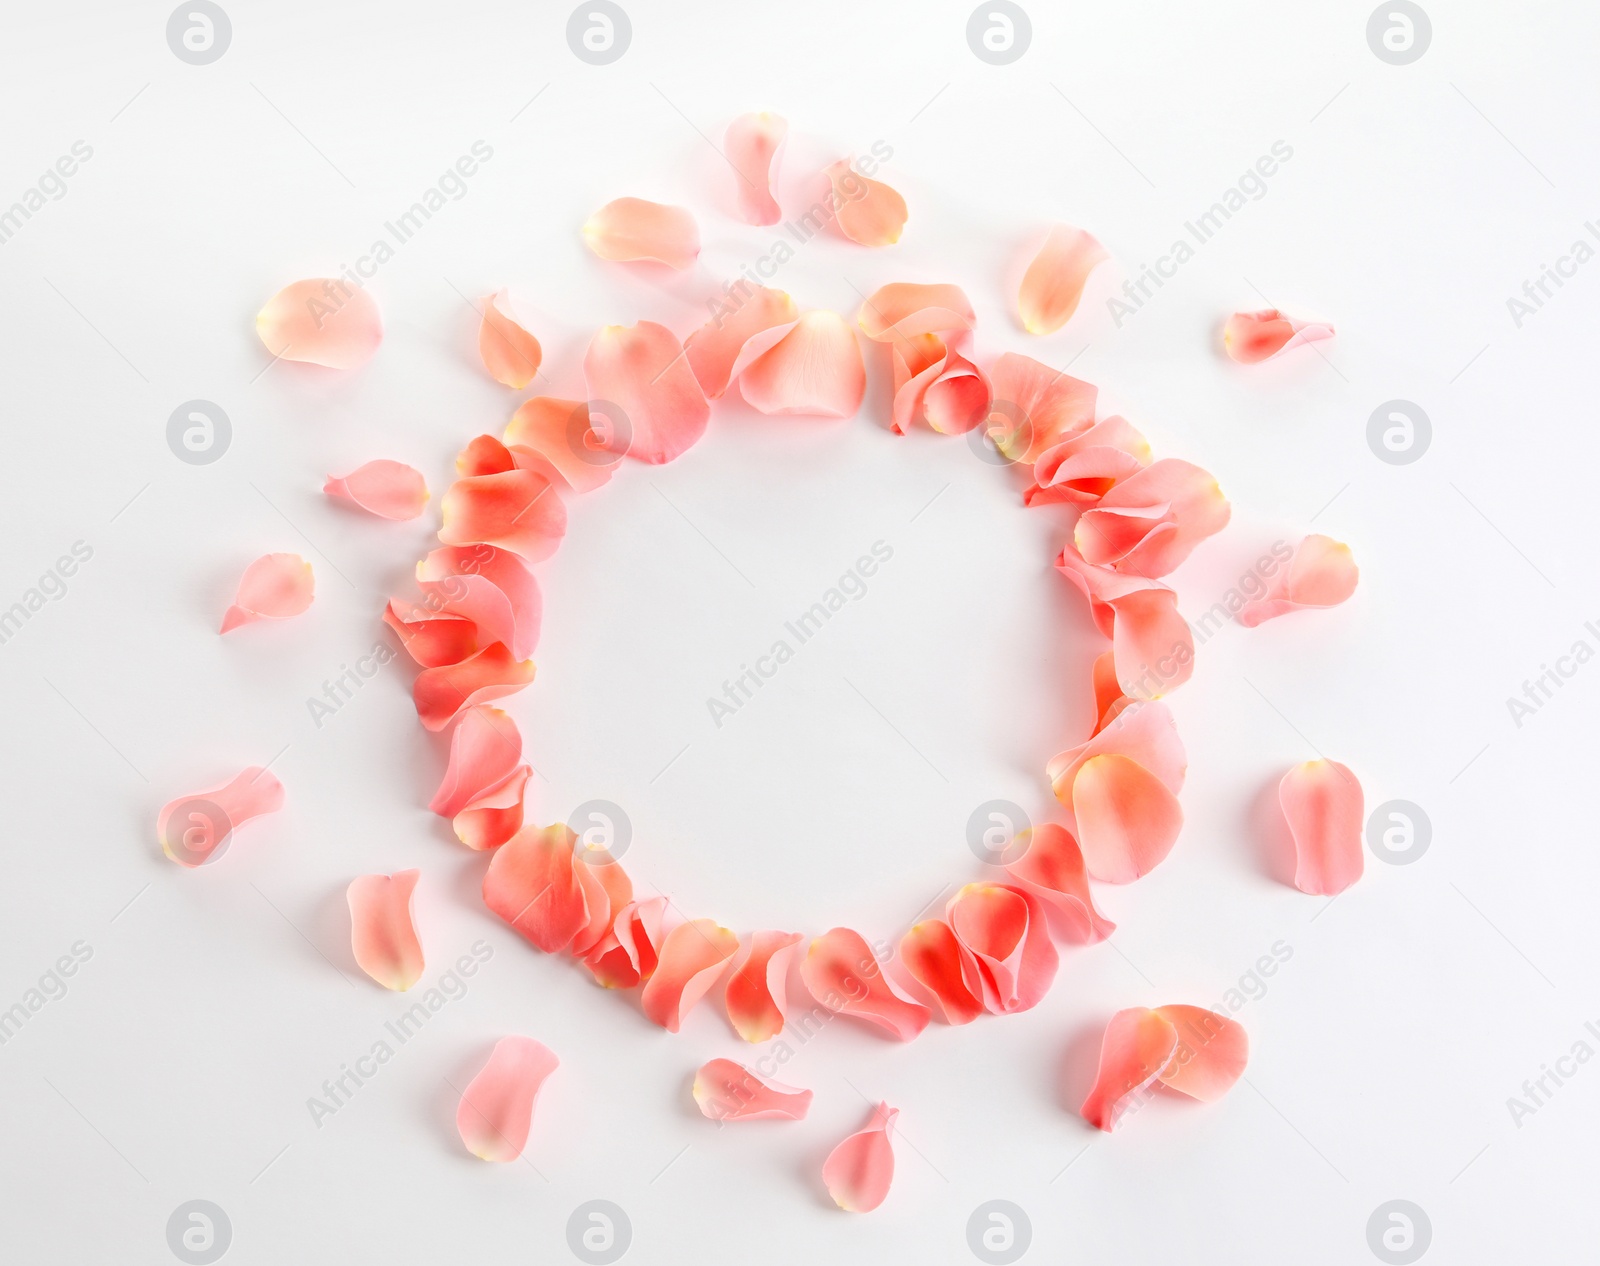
{"x": 1383, "y": 1052}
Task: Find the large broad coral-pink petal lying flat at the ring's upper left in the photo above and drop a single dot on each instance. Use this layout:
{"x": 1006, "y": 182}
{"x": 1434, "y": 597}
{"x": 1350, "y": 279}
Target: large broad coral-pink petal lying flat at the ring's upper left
{"x": 642, "y": 374}
